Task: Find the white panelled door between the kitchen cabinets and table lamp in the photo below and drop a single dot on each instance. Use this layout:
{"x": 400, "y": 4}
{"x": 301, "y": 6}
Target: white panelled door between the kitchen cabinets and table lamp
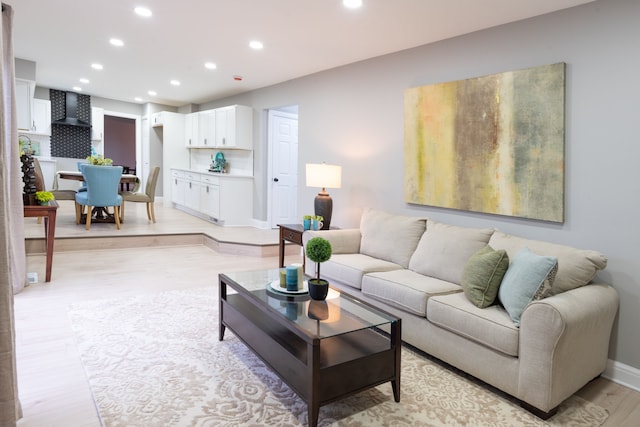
{"x": 282, "y": 125}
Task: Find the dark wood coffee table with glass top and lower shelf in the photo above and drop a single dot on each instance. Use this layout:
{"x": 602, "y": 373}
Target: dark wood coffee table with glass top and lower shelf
{"x": 324, "y": 351}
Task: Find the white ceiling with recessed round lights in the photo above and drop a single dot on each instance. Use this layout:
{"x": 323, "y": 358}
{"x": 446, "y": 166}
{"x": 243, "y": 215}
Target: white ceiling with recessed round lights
{"x": 301, "y": 37}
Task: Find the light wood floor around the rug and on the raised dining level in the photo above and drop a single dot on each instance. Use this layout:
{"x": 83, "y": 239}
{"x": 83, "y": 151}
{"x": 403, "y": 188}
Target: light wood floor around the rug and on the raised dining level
{"x": 52, "y": 385}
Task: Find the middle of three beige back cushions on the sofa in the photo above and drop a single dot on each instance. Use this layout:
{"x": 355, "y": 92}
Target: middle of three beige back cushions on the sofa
{"x": 444, "y": 250}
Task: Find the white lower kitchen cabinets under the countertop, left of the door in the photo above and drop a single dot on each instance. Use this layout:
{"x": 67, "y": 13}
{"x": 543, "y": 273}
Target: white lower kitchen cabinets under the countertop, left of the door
{"x": 220, "y": 198}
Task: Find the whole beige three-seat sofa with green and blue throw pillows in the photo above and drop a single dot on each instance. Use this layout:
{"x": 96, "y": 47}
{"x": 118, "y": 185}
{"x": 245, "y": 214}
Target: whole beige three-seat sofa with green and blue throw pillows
{"x": 549, "y": 338}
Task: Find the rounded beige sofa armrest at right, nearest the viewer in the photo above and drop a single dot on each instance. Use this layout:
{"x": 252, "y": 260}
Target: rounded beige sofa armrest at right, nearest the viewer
{"x": 564, "y": 343}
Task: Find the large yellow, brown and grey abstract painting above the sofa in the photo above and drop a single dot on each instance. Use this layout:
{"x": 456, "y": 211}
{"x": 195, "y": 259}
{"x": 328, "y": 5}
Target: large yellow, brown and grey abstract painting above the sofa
{"x": 491, "y": 144}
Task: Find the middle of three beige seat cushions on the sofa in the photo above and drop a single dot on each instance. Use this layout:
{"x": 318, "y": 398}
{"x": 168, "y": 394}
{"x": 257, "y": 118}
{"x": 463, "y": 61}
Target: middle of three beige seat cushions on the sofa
{"x": 405, "y": 289}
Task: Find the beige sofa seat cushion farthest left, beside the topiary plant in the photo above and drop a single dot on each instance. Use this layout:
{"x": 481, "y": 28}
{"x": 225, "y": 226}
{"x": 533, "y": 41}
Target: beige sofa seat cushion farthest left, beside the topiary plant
{"x": 349, "y": 268}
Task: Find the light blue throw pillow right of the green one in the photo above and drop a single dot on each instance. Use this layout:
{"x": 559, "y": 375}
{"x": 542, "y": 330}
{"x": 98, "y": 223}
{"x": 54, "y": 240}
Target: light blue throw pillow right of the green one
{"x": 528, "y": 278}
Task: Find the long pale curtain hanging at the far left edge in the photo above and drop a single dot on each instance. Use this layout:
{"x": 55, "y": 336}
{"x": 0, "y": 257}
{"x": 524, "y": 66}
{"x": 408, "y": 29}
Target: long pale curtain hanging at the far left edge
{"x": 12, "y": 248}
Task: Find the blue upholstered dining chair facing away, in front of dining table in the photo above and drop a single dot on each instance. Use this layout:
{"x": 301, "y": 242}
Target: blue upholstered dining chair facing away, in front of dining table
{"x": 102, "y": 191}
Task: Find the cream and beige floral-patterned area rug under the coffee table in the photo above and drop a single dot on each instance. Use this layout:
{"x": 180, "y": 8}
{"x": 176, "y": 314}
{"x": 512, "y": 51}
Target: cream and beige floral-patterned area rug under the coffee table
{"x": 155, "y": 360}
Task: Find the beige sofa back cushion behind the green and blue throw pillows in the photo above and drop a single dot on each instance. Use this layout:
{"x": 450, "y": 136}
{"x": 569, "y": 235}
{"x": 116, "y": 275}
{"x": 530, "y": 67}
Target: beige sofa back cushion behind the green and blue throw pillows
{"x": 576, "y": 267}
